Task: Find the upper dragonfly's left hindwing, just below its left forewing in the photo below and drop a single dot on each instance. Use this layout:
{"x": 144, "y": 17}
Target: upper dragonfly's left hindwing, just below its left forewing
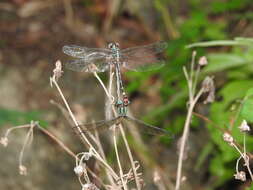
{"x": 84, "y": 65}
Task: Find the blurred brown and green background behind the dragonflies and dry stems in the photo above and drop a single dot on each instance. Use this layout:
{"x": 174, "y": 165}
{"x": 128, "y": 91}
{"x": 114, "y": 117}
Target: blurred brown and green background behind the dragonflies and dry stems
{"x": 32, "y": 34}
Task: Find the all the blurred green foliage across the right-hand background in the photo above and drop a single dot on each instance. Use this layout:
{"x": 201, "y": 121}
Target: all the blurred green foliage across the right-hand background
{"x": 229, "y": 60}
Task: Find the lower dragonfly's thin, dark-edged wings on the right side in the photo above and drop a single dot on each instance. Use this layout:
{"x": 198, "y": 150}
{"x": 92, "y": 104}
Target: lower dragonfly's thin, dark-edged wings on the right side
{"x": 149, "y": 129}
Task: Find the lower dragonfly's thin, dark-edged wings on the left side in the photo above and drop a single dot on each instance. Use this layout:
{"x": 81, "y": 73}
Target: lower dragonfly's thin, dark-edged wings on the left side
{"x": 99, "y": 125}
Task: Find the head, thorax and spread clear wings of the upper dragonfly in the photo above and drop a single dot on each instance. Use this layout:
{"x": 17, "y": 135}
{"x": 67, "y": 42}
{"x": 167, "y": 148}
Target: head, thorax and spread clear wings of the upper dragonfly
{"x": 140, "y": 58}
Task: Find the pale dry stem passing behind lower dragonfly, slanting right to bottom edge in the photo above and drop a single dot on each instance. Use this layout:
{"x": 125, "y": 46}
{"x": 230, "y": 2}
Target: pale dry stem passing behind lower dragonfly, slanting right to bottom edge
{"x": 126, "y": 144}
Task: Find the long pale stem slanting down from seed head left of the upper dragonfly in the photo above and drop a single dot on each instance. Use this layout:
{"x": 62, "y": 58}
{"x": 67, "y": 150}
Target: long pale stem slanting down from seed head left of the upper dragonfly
{"x": 98, "y": 157}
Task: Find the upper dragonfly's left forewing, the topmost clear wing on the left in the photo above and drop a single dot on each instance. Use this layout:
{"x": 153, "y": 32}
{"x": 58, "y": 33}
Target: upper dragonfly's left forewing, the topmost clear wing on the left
{"x": 84, "y": 52}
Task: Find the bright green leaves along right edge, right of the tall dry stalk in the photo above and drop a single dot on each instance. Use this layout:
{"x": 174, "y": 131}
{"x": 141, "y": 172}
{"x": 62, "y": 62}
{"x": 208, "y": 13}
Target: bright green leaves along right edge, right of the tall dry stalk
{"x": 235, "y": 105}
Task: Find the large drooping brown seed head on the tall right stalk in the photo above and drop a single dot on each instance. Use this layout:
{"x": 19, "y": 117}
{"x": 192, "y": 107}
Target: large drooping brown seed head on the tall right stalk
{"x": 208, "y": 87}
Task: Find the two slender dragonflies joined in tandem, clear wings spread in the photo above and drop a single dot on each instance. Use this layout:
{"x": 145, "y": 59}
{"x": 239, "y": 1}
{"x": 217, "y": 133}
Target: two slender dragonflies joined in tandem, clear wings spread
{"x": 142, "y": 58}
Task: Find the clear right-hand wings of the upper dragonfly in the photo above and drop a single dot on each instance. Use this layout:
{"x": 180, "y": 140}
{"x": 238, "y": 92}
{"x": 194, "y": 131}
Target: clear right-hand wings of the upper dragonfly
{"x": 144, "y": 58}
